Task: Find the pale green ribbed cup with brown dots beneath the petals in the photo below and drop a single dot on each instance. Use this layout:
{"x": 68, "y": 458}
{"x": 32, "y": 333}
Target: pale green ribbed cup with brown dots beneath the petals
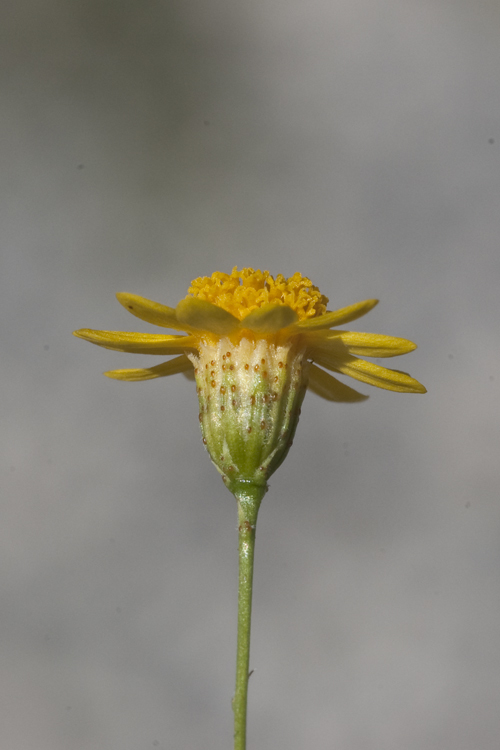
{"x": 250, "y": 396}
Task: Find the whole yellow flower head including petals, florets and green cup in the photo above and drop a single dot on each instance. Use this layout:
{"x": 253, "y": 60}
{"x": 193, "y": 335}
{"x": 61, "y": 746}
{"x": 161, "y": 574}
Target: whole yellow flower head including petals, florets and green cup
{"x": 256, "y": 343}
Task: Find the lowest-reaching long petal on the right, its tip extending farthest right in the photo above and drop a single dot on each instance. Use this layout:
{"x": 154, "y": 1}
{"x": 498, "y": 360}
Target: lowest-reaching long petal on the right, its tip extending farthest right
{"x": 367, "y": 372}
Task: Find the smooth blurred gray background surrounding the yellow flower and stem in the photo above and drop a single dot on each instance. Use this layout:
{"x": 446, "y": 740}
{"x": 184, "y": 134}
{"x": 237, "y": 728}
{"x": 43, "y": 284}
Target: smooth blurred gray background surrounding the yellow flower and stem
{"x": 143, "y": 145}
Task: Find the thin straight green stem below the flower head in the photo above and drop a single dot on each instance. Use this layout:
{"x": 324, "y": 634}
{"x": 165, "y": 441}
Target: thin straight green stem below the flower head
{"x": 249, "y": 497}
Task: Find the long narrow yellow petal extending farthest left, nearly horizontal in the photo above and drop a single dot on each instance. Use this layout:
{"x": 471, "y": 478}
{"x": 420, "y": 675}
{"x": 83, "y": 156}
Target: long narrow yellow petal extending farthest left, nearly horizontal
{"x": 138, "y": 343}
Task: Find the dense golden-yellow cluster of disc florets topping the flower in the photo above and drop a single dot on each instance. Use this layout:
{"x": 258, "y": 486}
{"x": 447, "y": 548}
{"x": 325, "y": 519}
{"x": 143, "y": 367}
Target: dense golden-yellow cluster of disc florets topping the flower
{"x": 240, "y": 292}
